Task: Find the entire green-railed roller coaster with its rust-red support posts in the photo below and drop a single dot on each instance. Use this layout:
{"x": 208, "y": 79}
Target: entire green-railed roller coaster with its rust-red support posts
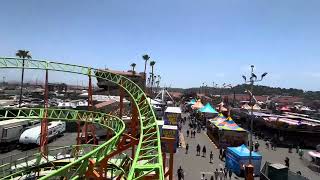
{"x": 86, "y": 160}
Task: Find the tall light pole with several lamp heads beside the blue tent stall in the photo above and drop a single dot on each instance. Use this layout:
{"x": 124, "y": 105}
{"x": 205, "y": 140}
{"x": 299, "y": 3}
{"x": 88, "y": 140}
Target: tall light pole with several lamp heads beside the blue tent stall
{"x": 251, "y": 81}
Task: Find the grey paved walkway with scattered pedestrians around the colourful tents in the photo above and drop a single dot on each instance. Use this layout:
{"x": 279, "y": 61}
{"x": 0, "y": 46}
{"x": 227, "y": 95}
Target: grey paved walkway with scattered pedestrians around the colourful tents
{"x": 194, "y": 166}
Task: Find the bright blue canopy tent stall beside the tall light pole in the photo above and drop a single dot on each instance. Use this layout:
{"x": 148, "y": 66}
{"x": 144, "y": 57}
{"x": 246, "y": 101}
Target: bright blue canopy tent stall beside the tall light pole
{"x": 238, "y": 157}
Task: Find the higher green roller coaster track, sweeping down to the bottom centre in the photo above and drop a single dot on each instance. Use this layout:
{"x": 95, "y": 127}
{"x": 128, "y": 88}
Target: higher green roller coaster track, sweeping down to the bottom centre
{"x": 148, "y": 156}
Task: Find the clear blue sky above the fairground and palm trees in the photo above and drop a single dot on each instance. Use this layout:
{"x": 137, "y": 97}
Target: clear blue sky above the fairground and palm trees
{"x": 191, "y": 41}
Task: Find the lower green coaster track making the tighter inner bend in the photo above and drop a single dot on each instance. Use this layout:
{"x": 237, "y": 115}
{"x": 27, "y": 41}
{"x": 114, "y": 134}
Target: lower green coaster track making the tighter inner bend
{"x": 76, "y": 168}
